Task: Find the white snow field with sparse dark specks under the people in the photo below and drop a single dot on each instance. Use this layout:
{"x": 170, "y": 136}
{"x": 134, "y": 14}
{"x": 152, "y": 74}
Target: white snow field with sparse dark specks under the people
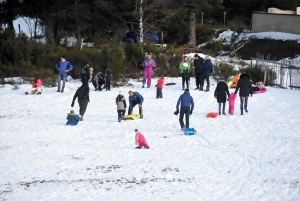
{"x": 251, "y": 157}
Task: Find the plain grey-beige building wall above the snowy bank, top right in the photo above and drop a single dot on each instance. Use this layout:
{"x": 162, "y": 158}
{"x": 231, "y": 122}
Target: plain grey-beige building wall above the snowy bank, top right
{"x": 266, "y": 22}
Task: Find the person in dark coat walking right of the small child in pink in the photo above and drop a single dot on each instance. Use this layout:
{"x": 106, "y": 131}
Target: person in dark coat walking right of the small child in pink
{"x": 245, "y": 87}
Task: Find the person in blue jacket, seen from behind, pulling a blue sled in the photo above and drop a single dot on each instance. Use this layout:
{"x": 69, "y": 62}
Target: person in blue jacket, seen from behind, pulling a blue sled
{"x": 187, "y": 105}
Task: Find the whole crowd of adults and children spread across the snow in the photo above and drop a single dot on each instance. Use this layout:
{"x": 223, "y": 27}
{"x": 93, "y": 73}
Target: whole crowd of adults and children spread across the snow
{"x": 185, "y": 103}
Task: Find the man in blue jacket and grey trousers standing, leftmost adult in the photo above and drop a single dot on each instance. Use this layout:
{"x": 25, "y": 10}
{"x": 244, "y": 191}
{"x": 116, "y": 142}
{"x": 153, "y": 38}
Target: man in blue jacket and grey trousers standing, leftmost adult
{"x": 63, "y": 68}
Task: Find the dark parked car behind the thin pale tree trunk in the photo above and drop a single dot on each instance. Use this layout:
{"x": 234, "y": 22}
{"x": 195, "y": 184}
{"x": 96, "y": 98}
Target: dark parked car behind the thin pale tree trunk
{"x": 149, "y": 37}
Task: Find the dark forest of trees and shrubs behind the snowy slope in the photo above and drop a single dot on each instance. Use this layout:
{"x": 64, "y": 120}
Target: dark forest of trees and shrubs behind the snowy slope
{"x": 105, "y": 23}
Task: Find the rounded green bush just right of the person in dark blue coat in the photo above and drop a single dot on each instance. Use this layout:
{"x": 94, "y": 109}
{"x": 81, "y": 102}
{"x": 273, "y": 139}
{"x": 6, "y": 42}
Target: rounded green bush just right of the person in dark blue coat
{"x": 223, "y": 71}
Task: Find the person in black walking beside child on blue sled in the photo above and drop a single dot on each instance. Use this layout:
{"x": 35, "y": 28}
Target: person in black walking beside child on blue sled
{"x": 83, "y": 98}
